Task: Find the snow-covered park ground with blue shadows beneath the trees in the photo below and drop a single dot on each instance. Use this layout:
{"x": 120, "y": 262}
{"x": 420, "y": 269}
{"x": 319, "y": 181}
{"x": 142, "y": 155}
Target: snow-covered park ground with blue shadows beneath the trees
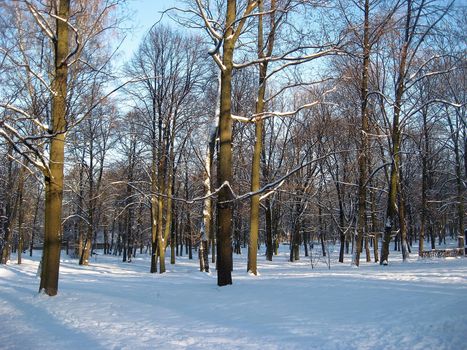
{"x": 421, "y": 304}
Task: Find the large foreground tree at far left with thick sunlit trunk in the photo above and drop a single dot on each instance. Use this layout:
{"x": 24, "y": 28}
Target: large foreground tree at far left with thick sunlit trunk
{"x": 51, "y": 75}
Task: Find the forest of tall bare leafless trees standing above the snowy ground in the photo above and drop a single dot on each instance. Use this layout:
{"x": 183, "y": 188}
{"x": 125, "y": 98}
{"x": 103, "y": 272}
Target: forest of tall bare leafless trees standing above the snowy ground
{"x": 235, "y": 128}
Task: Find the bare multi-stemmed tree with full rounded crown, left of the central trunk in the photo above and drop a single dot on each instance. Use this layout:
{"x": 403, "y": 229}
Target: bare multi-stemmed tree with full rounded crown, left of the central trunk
{"x": 168, "y": 69}
